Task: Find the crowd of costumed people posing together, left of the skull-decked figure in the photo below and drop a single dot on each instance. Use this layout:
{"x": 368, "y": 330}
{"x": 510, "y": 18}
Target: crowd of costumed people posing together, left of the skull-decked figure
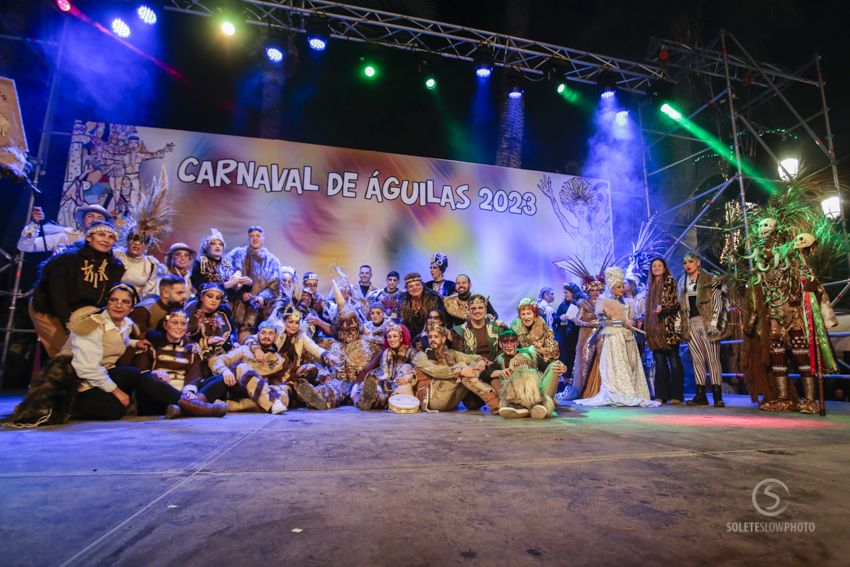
{"x": 208, "y": 331}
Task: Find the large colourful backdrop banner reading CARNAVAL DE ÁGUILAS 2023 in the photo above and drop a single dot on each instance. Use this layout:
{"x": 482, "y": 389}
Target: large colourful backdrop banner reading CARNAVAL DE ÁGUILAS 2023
{"x": 503, "y": 227}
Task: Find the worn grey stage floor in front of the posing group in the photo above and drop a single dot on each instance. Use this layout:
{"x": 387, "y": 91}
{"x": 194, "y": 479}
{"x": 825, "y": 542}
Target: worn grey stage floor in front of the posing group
{"x": 604, "y": 486}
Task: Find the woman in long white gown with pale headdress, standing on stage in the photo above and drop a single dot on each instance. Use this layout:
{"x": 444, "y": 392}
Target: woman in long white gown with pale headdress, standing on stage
{"x": 620, "y": 368}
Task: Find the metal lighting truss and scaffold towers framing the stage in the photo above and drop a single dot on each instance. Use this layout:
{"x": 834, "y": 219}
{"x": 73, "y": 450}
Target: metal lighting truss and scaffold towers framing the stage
{"x": 723, "y": 66}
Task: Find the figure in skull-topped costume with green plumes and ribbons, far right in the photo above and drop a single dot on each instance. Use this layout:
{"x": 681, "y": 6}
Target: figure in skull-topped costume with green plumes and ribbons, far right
{"x": 789, "y": 310}
